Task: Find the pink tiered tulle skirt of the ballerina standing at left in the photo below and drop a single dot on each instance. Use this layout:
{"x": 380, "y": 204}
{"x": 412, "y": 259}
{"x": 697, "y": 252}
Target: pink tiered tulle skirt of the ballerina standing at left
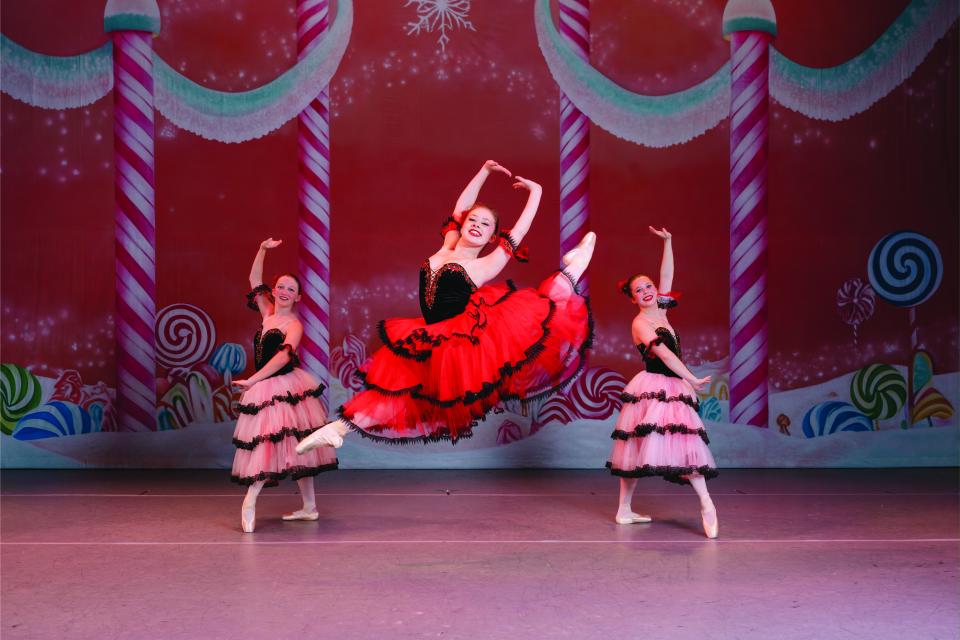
{"x": 275, "y": 415}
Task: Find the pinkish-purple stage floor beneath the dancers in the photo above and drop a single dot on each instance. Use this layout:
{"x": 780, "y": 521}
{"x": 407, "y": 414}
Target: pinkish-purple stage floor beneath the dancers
{"x": 480, "y": 554}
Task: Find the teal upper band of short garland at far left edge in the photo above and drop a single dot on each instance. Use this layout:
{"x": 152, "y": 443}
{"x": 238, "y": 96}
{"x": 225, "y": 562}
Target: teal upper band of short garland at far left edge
{"x": 58, "y": 69}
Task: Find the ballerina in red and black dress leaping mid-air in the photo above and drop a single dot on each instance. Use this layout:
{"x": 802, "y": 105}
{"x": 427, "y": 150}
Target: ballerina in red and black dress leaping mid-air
{"x": 477, "y": 344}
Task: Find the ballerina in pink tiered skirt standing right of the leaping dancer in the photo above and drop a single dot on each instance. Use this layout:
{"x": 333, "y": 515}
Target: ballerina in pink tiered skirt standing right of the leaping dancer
{"x": 659, "y": 432}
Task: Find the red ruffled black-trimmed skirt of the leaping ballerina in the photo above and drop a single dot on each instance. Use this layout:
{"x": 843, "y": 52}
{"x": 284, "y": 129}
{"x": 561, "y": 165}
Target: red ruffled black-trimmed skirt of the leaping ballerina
{"x": 435, "y": 381}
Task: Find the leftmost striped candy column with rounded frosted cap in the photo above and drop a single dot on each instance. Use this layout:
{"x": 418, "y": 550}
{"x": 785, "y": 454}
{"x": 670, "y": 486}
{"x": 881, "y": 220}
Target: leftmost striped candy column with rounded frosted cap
{"x": 132, "y": 25}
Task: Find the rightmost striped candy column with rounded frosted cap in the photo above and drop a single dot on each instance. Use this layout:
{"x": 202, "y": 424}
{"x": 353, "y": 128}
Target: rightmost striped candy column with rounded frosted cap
{"x": 750, "y": 34}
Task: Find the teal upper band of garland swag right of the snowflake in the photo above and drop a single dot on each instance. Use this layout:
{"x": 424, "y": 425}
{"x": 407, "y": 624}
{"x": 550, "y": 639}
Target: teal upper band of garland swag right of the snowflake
{"x": 642, "y": 105}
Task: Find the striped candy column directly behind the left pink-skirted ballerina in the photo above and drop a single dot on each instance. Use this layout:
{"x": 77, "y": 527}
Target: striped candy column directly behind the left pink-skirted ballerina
{"x": 314, "y": 223}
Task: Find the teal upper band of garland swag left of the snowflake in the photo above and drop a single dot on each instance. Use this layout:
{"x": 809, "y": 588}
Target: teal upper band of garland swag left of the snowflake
{"x": 227, "y": 103}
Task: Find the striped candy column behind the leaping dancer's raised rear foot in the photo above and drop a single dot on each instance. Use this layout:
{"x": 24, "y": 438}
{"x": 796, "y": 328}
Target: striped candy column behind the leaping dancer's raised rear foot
{"x": 574, "y": 138}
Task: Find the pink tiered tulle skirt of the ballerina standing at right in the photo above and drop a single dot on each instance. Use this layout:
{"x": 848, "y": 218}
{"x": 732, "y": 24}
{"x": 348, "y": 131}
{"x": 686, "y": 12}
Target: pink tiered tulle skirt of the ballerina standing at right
{"x": 659, "y": 432}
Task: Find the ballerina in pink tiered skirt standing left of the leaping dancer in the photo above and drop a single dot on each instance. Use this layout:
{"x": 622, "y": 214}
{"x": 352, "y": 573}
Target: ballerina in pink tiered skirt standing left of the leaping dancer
{"x": 280, "y": 405}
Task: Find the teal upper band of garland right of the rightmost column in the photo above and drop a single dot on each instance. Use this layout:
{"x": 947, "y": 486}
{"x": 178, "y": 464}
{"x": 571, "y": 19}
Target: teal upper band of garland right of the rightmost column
{"x": 854, "y": 71}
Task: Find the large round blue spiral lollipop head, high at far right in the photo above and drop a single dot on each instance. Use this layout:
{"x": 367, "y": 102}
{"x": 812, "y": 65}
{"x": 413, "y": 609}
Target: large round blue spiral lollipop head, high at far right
{"x": 905, "y": 268}
